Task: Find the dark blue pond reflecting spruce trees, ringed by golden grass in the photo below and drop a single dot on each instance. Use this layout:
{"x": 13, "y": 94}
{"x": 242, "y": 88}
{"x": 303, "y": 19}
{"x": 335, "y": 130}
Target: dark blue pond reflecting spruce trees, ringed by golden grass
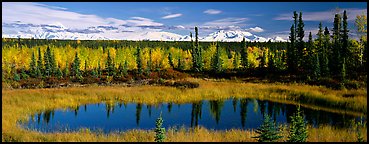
{"x": 214, "y": 114}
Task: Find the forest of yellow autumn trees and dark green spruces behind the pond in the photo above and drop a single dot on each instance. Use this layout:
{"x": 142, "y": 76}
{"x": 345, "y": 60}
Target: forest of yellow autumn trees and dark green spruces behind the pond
{"x": 331, "y": 59}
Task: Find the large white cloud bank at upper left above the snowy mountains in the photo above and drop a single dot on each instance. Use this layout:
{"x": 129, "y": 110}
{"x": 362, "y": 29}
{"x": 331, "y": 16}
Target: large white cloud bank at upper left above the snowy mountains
{"x": 38, "y": 14}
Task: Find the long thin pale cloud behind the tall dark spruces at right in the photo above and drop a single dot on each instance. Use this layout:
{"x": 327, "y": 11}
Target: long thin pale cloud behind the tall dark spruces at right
{"x": 323, "y": 15}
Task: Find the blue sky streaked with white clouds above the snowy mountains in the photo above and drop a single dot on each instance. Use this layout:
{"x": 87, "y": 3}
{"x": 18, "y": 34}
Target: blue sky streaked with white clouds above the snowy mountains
{"x": 266, "y": 19}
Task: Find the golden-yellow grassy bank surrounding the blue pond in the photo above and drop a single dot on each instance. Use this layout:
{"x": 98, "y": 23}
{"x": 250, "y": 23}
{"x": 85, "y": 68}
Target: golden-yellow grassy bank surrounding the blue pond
{"x": 18, "y": 104}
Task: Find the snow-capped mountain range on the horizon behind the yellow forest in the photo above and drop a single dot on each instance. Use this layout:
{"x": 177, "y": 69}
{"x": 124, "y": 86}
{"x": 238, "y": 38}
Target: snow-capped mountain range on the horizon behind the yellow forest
{"x": 58, "y": 31}
